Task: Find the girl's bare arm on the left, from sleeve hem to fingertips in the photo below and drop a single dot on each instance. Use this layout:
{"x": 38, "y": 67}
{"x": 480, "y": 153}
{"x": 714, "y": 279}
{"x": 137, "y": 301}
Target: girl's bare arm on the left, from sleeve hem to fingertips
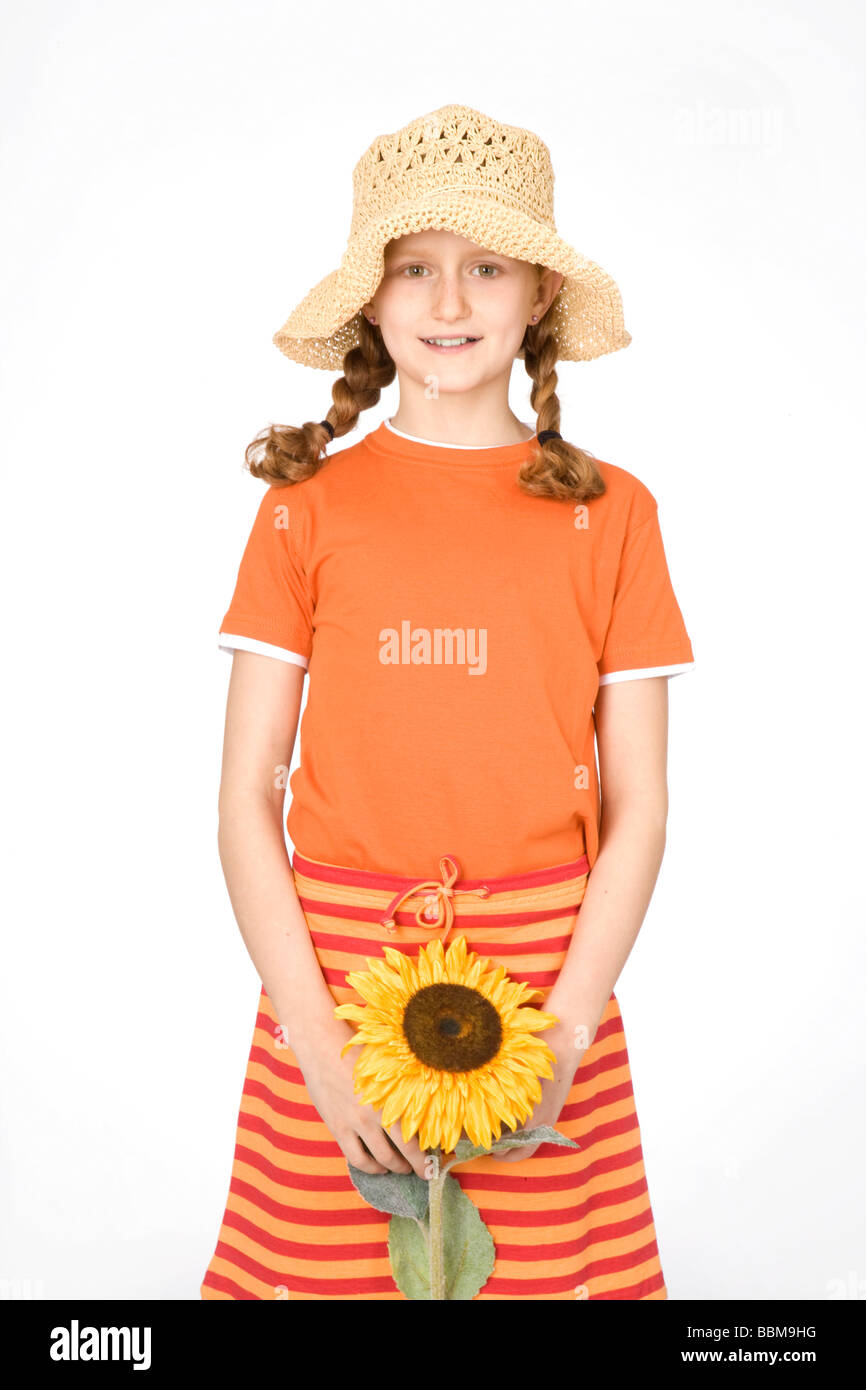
{"x": 261, "y": 728}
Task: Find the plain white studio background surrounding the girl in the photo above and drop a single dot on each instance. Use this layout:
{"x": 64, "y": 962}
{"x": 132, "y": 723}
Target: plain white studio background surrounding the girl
{"x": 176, "y": 177}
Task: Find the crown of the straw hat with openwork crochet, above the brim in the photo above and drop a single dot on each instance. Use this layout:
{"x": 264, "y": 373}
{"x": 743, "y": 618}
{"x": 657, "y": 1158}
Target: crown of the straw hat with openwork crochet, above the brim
{"x": 454, "y": 149}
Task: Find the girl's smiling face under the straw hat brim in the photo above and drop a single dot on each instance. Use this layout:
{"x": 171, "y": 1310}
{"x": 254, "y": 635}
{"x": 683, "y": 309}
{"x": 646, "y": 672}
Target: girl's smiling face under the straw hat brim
{"x": 440, "y": 286}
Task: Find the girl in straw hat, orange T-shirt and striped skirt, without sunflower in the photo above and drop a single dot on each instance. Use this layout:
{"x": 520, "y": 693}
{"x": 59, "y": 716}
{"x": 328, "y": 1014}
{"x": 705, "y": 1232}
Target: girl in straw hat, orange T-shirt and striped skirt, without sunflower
{"x": 476, "y": 601}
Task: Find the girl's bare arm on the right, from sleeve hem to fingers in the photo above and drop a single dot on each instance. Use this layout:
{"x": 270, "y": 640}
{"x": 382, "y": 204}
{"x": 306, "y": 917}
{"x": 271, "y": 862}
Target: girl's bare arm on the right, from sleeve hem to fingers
{"x": 632, "y": 730}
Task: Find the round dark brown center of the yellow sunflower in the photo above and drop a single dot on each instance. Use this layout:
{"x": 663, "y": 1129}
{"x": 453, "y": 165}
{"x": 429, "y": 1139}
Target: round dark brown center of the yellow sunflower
{"x": 452, "y": 1028}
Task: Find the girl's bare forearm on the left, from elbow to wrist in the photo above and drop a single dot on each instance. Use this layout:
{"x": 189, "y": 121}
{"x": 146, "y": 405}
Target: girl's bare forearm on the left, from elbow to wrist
{"x": 275, "y": 929}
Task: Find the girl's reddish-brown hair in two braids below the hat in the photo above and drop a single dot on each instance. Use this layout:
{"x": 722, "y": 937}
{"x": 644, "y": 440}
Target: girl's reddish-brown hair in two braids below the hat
{"x": 283, "y": 455}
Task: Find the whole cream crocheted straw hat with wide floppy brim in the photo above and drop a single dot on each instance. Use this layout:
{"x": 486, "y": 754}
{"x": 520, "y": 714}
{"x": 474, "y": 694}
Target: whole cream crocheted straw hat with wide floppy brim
{"x": 458, "y": 170}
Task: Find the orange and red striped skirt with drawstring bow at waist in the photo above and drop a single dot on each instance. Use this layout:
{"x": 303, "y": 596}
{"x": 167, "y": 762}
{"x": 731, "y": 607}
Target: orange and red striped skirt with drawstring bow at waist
{"x": 566, "y": 1224}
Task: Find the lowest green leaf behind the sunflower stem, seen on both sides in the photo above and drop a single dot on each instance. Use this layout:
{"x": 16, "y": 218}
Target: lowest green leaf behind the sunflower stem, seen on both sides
{"x": 469, "y": 1249}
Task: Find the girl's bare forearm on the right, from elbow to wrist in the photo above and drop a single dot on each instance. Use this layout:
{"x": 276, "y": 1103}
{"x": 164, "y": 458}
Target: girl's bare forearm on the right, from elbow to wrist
{"x": 619, "y": 890}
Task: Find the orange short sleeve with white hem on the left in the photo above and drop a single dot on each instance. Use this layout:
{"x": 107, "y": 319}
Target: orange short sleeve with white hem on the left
{"x": 272, "y": 608}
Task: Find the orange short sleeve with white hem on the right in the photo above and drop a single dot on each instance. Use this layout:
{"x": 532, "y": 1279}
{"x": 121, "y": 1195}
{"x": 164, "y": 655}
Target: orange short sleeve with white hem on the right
{"x": 646, "y": 635}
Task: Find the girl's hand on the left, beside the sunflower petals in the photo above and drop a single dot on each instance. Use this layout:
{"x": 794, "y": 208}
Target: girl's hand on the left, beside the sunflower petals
{"x": 357, "y": 1128}
